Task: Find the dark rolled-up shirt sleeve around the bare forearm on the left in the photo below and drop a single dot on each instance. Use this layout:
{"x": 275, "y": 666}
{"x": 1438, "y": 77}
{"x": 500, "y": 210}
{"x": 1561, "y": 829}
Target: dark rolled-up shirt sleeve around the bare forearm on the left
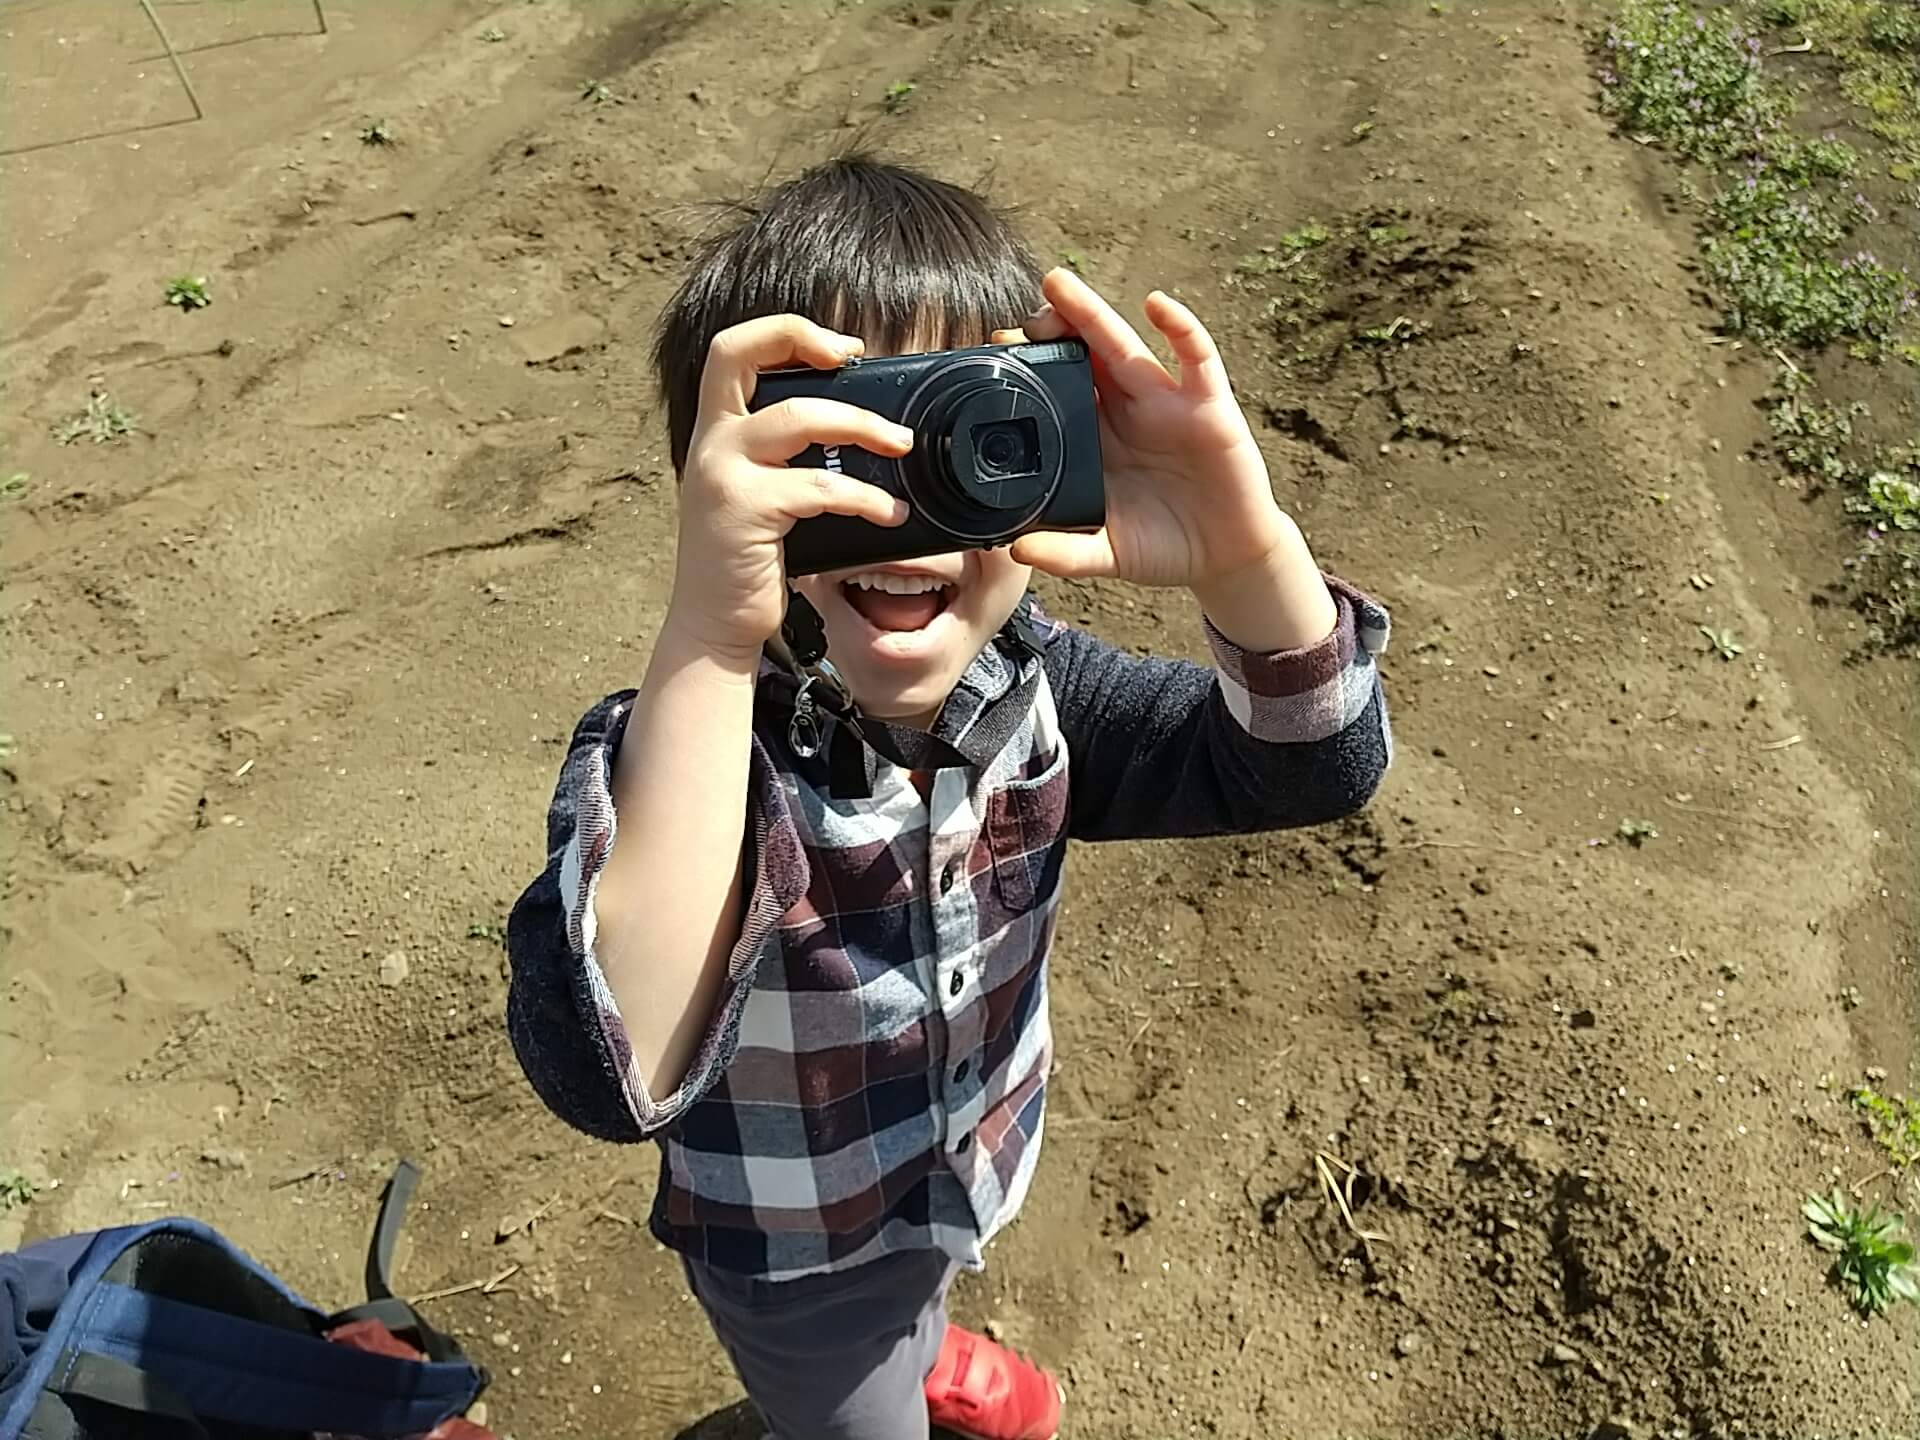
{"x": 562, "y": 1013}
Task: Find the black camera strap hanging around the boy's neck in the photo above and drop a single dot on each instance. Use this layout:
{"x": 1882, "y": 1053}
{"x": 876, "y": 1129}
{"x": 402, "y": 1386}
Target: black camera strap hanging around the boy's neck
{"x": 802, "y": 650}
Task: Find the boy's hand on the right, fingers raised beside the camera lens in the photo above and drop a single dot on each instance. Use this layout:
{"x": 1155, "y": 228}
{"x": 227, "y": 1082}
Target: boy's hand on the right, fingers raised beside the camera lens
{"x": 1188, "y": 492}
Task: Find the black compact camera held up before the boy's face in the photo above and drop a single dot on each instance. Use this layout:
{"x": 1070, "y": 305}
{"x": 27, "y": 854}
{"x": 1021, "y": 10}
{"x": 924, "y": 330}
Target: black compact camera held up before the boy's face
{"x": 1007, "y": 441}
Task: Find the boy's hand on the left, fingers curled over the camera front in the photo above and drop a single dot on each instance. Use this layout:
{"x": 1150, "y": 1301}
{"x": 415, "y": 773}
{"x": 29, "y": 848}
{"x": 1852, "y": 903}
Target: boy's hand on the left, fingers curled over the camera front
{"x": 738, "y": 494}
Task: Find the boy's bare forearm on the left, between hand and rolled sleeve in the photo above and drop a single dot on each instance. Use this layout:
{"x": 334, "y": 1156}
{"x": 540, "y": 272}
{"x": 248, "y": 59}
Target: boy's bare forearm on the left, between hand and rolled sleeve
{"x": 669, "y": 901}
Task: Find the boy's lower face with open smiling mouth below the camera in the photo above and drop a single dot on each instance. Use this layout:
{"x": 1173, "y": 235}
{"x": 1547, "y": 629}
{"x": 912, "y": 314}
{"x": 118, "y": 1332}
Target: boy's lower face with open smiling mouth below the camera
{"x": 903, "y": 635}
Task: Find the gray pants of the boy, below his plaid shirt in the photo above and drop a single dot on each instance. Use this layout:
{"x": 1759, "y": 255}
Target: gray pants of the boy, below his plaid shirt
{"x": 834, "y": 1356}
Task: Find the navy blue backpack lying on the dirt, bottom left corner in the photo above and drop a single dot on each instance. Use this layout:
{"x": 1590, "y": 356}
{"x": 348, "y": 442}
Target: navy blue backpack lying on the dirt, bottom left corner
{"x": 168, "y": 1332}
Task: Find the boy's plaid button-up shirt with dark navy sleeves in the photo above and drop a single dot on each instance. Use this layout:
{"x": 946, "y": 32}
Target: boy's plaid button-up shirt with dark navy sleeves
{"x": 875, "y": 1074}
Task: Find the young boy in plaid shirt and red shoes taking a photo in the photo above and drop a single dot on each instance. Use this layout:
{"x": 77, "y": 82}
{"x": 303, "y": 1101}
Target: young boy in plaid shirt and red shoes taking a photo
{"x": 827, "y": 997}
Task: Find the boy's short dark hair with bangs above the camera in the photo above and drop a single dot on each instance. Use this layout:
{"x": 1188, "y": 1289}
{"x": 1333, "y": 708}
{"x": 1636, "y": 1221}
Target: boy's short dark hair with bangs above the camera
{"x": 867, "y": 249}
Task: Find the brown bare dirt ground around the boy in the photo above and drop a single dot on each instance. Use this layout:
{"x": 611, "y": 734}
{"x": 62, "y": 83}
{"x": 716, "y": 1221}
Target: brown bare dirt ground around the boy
{"x": 291, "y": 671}
